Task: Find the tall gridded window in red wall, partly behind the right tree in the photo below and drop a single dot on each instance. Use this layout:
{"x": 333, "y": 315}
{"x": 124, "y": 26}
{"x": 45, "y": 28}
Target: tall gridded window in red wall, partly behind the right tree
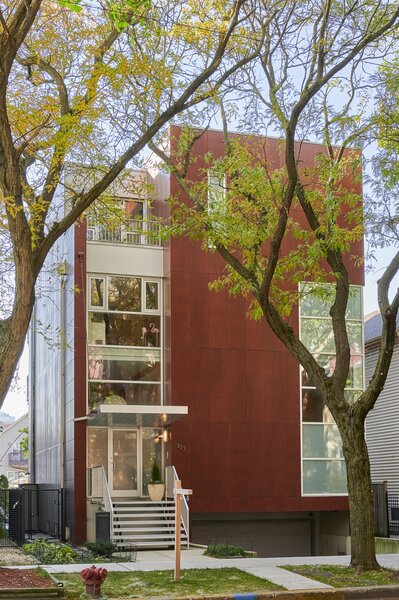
{"x": 323, "y": 465}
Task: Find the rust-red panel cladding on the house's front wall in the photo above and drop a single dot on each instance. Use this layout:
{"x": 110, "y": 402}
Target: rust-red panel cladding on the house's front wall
{"x": 239, "y": 446}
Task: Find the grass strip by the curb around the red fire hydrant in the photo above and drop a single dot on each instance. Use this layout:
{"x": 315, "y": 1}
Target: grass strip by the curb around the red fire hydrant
{"x": 141, "y": 584}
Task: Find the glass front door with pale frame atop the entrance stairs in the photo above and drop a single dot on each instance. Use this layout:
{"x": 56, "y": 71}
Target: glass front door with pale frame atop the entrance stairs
{"x": 124, "y": 473}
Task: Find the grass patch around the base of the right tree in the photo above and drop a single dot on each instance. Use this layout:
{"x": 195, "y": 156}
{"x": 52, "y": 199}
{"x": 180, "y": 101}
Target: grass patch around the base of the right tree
{"x": 338, "y": 576}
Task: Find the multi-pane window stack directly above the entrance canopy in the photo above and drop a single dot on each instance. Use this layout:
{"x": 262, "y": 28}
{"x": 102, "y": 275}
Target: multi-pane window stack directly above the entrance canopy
{"x": 124, "y": 340}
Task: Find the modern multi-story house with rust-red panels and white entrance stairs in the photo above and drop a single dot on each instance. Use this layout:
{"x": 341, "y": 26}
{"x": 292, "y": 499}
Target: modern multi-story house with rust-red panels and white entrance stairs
{"x": 133, "y": 359}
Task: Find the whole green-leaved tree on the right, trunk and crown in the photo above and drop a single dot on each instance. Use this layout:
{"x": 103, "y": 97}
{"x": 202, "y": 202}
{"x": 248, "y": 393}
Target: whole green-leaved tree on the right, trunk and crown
{"x": 283, "y": 222}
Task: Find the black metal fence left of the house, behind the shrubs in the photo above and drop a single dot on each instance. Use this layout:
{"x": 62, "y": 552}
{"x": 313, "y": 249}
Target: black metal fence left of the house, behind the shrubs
{"x": 31, "y": 511}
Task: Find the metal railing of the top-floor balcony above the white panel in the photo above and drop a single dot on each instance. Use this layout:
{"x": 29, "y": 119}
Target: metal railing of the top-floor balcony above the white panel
{"x": 134, "y": 232}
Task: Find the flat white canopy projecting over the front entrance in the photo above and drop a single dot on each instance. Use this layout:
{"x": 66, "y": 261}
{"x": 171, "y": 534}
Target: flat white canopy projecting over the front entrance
{"x": 135, "y": 415}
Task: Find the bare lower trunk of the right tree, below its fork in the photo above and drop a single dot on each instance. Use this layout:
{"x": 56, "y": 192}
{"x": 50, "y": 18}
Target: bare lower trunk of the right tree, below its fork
{"x": 361, "y": 502}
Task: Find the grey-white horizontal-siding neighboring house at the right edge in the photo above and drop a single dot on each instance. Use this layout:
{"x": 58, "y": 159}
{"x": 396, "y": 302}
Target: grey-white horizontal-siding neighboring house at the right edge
{"x": 382, "y": 424}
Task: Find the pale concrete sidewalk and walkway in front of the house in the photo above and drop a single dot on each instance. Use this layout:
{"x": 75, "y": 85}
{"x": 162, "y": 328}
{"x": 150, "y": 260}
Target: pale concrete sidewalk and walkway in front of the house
{"x": 268, "y": 568}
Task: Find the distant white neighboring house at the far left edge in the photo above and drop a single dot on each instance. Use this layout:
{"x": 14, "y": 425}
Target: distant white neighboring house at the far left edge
{"x": 12, "y": 463}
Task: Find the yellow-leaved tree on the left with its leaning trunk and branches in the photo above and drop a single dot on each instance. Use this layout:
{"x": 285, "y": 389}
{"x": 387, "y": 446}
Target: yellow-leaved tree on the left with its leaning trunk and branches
{"x": 87, "y": 85}
